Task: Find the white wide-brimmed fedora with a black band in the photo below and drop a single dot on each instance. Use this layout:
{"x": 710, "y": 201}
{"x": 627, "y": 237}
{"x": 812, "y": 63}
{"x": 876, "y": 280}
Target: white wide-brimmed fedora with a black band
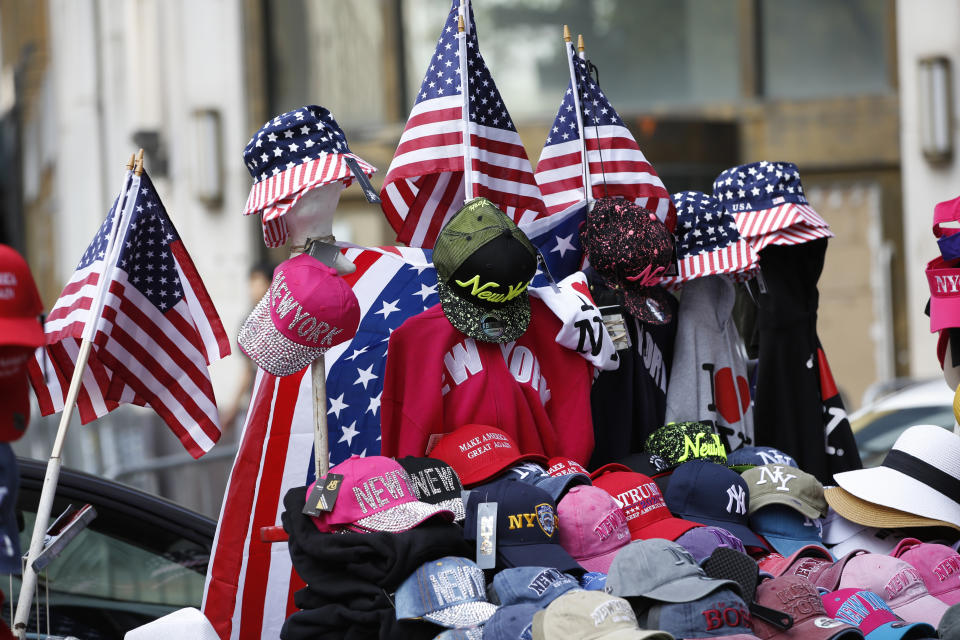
{"x": 919, "y": 475}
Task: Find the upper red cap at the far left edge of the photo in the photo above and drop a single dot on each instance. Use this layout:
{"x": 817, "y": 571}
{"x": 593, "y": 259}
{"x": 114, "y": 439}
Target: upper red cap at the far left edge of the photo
{"x": 20, "y": 304}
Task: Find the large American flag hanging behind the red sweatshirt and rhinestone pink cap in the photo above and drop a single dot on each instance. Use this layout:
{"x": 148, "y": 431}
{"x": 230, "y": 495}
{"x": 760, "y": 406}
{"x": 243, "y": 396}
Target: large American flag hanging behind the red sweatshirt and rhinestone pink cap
{"x": 250, "y": 583}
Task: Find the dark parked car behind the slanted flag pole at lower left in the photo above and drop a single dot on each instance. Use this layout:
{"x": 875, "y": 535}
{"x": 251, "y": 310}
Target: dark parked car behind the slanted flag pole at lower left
{"x": 142, "y": 557}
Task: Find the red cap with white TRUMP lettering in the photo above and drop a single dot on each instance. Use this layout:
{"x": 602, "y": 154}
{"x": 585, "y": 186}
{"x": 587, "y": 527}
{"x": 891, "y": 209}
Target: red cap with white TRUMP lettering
{"x": 643, "y": 505}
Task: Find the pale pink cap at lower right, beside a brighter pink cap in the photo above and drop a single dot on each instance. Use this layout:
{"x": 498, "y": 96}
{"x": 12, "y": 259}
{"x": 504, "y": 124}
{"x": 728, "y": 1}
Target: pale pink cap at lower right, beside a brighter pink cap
{"x": 900, "y": 584}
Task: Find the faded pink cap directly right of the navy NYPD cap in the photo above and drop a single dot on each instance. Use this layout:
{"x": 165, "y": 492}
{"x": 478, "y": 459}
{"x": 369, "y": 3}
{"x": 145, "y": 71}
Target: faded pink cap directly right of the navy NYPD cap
{"x": 594, "y": 527}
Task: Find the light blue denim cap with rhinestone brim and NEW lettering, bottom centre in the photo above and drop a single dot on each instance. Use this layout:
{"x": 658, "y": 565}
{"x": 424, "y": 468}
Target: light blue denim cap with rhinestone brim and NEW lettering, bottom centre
{"x": 450, "y": 592}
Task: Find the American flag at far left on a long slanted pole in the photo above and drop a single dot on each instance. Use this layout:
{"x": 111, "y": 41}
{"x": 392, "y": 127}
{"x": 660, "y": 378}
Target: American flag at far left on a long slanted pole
{"x": 155, "y": 335}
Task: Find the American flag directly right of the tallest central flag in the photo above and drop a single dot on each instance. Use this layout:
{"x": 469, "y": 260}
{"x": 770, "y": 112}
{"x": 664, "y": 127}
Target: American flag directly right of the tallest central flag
{"x": 617, "y": 166}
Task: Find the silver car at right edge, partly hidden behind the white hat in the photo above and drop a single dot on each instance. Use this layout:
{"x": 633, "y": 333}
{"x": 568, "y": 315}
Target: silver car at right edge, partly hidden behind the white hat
{"x": 887, "y": 412}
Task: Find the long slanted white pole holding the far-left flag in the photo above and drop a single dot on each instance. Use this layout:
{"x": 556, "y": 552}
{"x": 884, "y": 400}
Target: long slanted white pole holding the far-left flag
{"x": 50, "y": 480}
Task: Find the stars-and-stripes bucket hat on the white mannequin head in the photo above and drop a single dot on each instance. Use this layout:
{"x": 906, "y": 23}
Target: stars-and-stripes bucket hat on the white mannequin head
{"x": 291, "y": 154}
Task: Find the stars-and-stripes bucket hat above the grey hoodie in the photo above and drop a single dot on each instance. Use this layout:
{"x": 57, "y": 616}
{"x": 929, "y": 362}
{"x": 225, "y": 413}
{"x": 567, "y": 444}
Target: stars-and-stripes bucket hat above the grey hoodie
{"x": 708, "y": 242}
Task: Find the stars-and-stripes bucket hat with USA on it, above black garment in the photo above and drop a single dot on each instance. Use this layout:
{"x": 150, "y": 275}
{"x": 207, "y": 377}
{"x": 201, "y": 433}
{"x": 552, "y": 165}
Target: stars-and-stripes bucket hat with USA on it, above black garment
{"x": 768, "y": 203}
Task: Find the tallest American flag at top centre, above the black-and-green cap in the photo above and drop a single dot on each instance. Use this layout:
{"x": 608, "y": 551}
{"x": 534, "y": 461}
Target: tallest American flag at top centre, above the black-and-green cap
{"x": 424, "y": 184}
